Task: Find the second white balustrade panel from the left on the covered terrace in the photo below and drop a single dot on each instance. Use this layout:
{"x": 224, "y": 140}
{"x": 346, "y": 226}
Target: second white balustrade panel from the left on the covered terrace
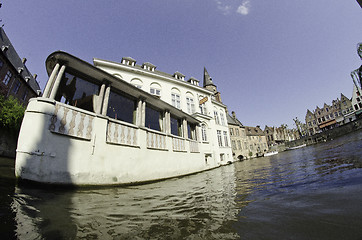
{"x": 123, "y": 134}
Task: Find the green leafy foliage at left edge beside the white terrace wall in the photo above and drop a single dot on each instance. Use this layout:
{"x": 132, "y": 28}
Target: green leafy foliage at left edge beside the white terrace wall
{"x": 11, "y": 113}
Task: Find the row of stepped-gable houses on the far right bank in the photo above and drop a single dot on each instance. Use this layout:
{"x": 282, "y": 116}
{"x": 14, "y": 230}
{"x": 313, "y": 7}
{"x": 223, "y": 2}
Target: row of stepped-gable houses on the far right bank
{"x": 342, "y": 111}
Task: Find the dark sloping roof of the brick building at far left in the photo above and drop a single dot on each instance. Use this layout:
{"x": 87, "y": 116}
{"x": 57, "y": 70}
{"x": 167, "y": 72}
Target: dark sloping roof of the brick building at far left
{"x": 13, "y": 57}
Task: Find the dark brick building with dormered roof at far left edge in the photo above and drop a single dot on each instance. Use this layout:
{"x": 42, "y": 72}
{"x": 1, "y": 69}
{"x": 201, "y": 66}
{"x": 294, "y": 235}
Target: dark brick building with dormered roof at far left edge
{"x": 15, "y": 78}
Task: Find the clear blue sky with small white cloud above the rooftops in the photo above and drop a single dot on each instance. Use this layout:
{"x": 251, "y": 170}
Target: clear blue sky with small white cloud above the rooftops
{"x": 271, "y": 60}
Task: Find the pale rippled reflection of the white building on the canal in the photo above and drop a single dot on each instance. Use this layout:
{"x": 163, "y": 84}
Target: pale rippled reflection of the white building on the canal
{"x": 200, "y": 206}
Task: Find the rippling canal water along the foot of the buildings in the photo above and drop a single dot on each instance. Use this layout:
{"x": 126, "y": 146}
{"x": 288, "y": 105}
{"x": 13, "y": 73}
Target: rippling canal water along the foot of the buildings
{"x": 313, "y": 192}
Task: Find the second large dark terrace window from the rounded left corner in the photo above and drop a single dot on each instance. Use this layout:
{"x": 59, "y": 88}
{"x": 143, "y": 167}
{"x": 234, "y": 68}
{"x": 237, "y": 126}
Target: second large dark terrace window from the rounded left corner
{"x": 121, "y": 107}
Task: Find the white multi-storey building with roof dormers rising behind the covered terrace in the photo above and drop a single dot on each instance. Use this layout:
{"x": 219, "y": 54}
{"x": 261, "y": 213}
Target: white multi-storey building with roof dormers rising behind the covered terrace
{"x": 203, "y": 103}
